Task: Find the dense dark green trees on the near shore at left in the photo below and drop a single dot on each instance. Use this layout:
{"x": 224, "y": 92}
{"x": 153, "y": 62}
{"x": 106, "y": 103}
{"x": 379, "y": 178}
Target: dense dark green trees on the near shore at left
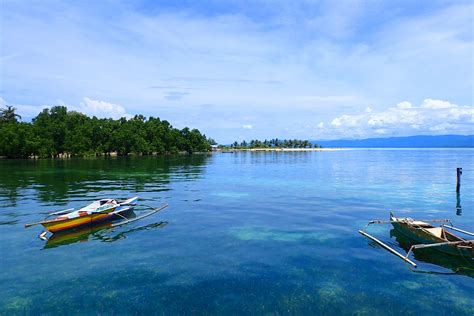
{"x": 58, "y": 132}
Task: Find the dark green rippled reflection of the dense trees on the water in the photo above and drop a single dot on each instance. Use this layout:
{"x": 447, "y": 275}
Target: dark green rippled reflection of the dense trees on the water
{"x": 59, "y": 181}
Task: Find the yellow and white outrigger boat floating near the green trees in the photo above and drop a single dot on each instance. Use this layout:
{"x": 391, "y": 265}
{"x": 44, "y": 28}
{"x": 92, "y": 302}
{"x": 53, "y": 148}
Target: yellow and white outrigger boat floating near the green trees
{"x": 96, "y": 212}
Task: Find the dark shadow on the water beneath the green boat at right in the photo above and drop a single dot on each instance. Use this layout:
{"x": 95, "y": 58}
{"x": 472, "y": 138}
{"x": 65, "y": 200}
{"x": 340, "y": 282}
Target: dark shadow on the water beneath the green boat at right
{"x": 457, "y": 264}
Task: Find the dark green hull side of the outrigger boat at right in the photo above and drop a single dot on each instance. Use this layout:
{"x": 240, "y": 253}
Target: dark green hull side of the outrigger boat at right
{"x": 421, "y": 237}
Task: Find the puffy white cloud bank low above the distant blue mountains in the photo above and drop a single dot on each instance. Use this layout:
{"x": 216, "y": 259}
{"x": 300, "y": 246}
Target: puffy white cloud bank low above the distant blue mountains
{"x": 431, "y": 117}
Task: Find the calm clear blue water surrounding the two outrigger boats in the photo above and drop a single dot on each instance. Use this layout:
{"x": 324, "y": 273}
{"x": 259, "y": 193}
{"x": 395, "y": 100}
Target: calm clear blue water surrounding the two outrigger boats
{"x": 245, "y": 233}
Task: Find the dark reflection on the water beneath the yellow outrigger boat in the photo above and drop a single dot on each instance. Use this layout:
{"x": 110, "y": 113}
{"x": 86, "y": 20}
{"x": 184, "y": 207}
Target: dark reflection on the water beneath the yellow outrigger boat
{"x": 102, "y": 232}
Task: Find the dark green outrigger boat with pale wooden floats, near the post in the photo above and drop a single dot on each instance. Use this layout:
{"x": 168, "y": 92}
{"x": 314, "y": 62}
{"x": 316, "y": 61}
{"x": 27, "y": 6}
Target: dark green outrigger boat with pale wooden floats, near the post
{"x": 424, "y": 235}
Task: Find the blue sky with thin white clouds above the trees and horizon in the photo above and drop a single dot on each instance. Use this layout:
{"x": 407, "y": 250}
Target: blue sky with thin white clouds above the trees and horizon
{"x": 247, "y": 69}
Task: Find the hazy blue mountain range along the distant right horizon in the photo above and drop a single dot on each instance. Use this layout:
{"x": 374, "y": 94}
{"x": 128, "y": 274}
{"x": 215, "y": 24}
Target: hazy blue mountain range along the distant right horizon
{"x": 442, "y": 141}
